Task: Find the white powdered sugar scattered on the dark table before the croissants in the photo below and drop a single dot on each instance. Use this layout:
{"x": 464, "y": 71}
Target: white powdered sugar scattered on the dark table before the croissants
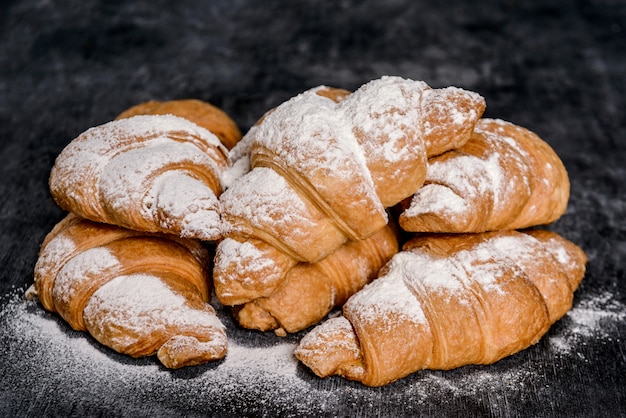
{"x": 47, "y": 365}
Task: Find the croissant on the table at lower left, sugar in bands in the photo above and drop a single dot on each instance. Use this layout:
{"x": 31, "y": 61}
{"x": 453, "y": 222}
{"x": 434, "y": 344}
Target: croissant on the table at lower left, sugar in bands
{"x": 137, "y": 293}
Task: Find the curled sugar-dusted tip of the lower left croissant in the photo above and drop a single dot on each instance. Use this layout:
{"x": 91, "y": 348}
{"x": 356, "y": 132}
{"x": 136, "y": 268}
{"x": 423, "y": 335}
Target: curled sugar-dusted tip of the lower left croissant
{"x": 182, "y": 350}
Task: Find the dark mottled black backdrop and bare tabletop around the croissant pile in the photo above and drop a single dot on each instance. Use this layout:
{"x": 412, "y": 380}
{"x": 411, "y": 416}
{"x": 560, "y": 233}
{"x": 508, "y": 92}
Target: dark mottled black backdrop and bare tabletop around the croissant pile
{"x": 555, "y": 67}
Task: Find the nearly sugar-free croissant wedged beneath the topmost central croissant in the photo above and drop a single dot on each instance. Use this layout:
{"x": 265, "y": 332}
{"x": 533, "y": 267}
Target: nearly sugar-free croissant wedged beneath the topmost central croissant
{"x": 310, "y": 291}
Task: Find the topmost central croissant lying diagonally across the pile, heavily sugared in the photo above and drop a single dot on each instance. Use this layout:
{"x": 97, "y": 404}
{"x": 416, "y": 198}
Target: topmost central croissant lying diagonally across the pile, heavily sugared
{"x": 325, "y": 168}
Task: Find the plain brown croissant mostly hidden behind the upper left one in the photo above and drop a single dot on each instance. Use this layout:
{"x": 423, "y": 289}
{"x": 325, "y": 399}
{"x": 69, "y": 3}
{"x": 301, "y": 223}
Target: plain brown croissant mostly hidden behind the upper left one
{"x": 201, "y": 113}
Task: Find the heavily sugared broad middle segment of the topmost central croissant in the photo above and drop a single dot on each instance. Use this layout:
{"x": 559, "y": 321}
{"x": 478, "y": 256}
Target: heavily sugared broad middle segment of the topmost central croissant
{"x": 310, "y": 138}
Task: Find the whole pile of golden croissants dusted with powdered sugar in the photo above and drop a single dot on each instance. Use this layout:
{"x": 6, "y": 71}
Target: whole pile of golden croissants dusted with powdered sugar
{"x": 397, "y": 202}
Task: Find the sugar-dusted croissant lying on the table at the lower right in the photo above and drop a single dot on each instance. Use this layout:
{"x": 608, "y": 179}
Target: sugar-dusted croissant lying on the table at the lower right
{"x": 447, "y": 301}
